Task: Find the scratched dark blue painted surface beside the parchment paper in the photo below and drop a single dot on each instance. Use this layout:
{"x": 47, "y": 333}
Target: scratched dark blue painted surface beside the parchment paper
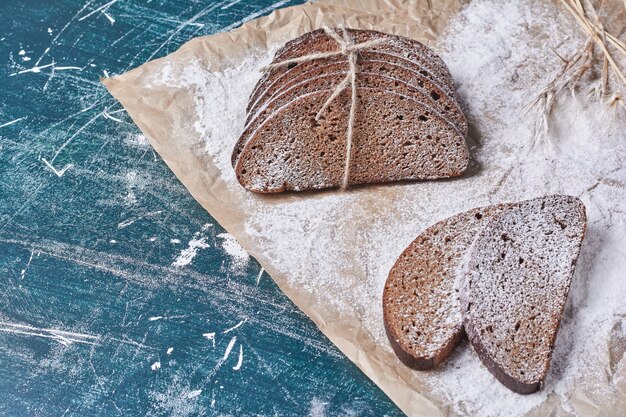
{"x": 96, "y": 318}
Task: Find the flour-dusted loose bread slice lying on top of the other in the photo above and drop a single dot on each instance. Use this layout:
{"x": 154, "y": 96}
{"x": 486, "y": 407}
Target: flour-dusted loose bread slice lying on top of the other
{"x": 518, "y": 277}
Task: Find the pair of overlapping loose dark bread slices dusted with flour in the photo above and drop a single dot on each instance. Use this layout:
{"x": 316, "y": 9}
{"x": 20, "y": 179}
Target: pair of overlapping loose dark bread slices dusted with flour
{"x": 499, "y": 274}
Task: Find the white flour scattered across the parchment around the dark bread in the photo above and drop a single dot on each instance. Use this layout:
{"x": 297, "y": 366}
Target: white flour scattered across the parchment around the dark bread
{"x": 337, "y": 248}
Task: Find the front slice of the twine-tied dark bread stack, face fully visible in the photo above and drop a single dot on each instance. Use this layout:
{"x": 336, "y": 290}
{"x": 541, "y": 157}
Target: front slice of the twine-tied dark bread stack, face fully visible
{"x": 395, "y": 138}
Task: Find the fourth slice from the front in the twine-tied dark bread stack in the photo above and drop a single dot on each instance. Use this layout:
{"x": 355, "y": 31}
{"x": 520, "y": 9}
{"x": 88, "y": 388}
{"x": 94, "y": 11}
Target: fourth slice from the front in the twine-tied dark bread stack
{"x": 320, "y": 66}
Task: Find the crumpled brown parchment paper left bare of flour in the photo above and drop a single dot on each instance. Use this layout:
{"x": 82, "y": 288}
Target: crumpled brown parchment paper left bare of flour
{"x": 161, "y": 114}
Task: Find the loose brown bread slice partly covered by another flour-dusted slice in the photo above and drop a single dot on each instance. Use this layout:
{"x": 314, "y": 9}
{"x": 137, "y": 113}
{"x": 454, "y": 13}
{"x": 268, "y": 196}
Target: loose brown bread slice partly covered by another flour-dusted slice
{"x": 421, "y": 305}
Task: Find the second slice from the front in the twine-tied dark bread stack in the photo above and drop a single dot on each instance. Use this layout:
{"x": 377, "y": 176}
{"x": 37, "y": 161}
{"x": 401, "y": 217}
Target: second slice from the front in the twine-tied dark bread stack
{"x": 329, "y": 81}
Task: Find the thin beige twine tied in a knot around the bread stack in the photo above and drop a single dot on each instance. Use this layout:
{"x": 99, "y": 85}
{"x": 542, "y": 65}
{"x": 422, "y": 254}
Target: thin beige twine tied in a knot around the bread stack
{"x": 350, "y": 50}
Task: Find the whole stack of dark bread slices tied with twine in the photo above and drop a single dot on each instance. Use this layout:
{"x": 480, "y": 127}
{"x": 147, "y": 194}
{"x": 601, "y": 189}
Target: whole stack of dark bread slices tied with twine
{"x": 407, "y": 122}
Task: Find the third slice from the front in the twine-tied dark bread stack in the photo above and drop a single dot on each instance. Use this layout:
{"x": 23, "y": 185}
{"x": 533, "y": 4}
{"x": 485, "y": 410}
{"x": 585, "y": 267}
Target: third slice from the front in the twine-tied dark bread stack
{"x": 432, "y": 94}
